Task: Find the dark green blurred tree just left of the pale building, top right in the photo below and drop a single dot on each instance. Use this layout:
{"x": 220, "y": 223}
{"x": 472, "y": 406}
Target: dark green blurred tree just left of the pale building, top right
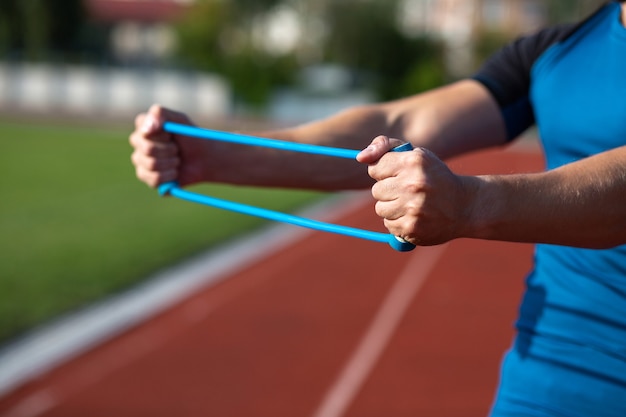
{"x": 364, "y": 36}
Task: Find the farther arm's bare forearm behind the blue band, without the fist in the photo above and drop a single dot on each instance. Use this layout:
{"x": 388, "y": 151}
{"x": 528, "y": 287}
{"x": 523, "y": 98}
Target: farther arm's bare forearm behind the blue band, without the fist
{"x": 350, "y": 129}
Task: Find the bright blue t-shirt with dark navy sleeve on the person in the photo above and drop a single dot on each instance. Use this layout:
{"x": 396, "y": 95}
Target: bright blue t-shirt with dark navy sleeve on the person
{"x": 569, "y": 355}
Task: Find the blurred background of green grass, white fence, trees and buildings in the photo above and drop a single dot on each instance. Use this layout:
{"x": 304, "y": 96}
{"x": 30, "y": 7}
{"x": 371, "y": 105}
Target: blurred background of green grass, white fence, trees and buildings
{"x": 75, "y": 226}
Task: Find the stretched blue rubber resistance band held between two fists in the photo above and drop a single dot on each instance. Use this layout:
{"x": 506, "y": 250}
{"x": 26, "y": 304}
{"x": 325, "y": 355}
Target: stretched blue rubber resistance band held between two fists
{"x": 173, "y": 189}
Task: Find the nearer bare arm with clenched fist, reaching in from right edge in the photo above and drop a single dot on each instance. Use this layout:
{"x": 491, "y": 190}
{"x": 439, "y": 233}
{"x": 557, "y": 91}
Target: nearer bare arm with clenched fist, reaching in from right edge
{"x": 580, "y": 204}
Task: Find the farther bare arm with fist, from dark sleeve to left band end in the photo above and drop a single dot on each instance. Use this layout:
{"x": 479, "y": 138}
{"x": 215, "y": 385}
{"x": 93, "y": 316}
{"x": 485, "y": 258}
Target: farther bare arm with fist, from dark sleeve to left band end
{"x": 449, "y": 120}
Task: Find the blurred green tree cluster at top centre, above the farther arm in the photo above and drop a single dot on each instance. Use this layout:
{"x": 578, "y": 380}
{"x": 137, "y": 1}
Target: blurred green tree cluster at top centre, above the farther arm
{"x": 362, "y": 35}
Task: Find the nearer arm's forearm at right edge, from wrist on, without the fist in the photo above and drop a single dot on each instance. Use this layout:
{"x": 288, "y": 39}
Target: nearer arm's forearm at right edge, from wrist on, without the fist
{"x": 581, "y": 204}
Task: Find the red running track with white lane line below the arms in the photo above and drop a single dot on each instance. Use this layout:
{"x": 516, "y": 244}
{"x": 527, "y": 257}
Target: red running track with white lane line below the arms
{"x": 330, "y": 327}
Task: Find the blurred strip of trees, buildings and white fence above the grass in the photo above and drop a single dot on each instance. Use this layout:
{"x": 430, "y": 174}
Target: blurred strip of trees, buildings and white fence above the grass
{"x": 216, "y": 58}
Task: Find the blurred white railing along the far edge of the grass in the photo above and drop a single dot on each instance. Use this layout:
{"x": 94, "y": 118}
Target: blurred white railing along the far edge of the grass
{"x": 82, "y": 90}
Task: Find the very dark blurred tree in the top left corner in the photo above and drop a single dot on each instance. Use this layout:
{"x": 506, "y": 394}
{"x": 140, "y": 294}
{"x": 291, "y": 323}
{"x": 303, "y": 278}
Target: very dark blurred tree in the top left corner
{"x": 36, "y": 29}
